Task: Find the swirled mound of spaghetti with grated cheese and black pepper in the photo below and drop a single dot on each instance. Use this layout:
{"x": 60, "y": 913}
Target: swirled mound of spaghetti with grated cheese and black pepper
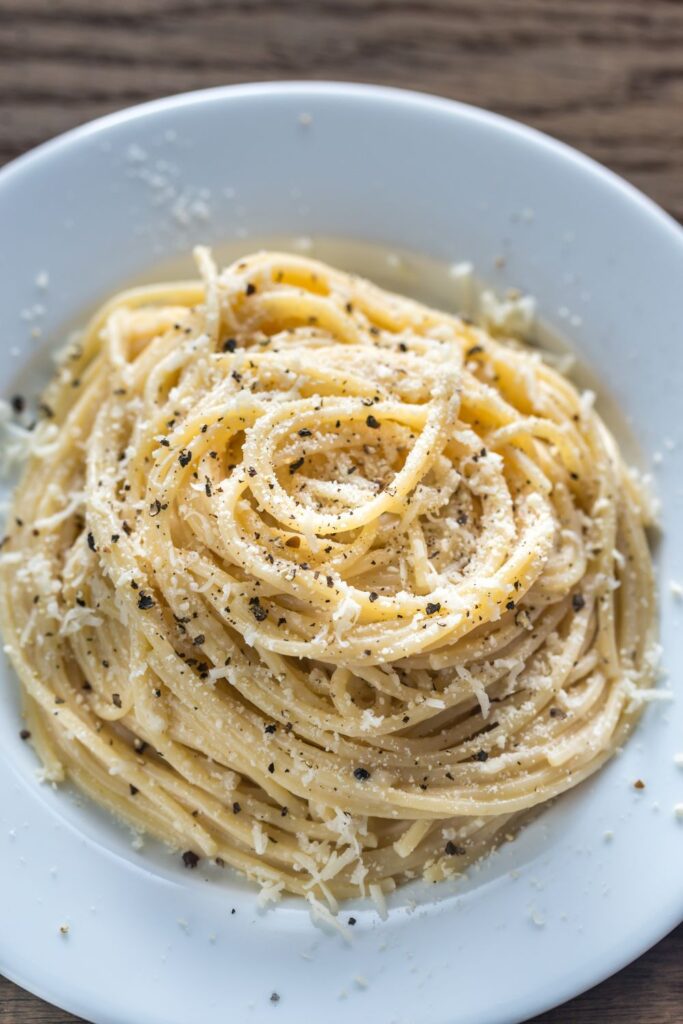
{"x": 314, "y": 581}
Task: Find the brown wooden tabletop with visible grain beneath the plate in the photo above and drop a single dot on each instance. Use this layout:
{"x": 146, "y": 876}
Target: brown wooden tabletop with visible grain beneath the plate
{"x": 606, "y": 76}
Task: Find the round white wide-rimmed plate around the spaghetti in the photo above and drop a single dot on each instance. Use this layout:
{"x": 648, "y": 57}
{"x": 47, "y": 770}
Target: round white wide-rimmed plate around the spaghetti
{"x": 561, "y": 909}
